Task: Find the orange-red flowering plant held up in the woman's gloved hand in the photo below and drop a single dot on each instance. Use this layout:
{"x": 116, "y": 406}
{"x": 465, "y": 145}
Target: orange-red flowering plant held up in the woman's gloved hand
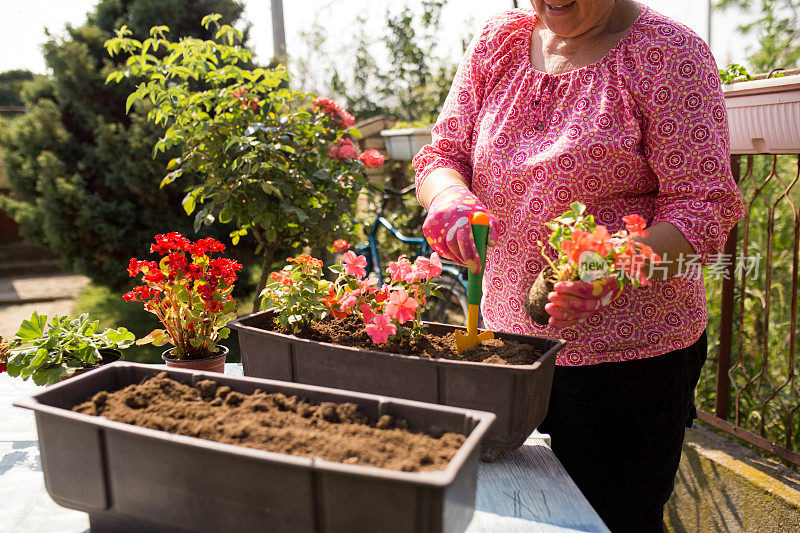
{"x": 588, "y": 252}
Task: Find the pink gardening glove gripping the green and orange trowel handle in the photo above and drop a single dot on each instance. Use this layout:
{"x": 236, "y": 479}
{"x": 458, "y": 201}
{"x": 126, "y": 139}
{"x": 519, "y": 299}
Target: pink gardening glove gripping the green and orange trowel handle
{"x": 447, "y": 225}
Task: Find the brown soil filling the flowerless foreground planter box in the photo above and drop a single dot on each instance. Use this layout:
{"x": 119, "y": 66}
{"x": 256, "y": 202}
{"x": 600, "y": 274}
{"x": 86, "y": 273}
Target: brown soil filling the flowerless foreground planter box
{"x": 274, "y": 422}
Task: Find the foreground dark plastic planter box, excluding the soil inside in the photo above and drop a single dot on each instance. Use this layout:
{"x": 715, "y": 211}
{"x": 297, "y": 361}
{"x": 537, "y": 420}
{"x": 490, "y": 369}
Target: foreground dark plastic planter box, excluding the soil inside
{"x": 130, "y": 478}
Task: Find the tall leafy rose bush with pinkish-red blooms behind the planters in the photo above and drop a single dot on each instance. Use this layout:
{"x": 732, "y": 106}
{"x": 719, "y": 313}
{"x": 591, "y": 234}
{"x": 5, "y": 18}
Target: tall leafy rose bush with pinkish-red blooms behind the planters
{"x": 278, "y": 163}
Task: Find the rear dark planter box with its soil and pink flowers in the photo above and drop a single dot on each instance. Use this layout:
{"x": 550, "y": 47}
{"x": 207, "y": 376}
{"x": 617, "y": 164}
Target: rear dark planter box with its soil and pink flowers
{"x": 366, "y": 334}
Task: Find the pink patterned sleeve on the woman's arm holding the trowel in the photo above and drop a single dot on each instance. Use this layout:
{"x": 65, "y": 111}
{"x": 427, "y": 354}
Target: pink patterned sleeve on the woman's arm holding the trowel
{"x": 451, "y": 143}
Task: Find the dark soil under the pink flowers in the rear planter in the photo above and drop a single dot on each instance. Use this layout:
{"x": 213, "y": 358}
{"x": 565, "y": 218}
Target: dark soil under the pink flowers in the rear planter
{"x": 350, "y": 331}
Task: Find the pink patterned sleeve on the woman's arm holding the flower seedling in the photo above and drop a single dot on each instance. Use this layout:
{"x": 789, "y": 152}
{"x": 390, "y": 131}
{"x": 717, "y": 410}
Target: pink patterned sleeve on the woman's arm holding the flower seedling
{"x": 685, "y": 132}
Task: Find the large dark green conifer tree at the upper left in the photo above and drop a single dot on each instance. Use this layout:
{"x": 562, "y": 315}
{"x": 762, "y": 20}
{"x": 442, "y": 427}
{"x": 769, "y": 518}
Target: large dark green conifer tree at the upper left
{"x": 83, "y": 179}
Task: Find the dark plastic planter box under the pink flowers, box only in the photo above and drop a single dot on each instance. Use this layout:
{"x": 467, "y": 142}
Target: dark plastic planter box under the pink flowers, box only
{"x": 517, "y": 394}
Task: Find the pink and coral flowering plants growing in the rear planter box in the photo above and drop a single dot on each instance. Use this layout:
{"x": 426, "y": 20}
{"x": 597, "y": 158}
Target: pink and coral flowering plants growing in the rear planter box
{"x": 389, "y": 311}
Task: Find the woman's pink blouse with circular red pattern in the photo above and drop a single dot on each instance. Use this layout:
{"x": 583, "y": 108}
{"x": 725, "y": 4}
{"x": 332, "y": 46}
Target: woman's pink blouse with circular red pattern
{"x": 643, "y": 130}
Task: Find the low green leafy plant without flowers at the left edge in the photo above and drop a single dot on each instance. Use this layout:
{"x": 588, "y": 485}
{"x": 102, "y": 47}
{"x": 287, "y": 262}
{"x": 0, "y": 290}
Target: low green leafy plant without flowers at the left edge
{"x": 49, "y": 353}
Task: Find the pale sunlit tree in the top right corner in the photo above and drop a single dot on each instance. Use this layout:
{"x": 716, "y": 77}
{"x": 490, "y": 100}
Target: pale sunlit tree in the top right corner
{"x": 776, "y": 23}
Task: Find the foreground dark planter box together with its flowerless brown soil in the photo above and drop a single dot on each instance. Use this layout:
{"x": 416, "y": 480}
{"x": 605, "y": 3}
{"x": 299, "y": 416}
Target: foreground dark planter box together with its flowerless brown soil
{"x": 133, "y": 478}
